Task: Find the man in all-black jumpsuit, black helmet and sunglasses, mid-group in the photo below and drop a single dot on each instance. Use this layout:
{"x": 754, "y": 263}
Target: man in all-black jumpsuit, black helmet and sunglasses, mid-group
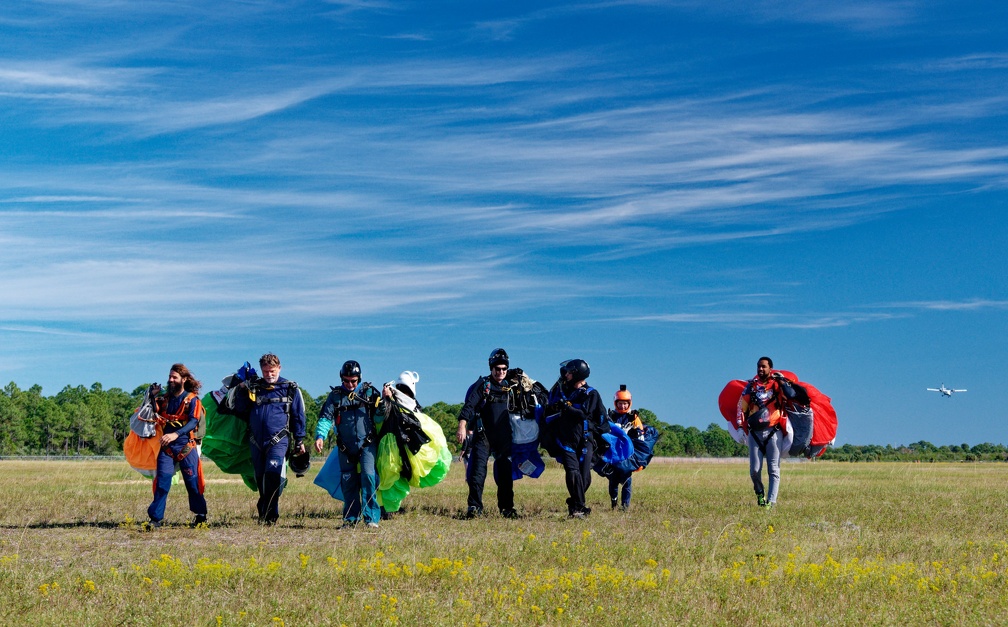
{"x": 485, "y": 420}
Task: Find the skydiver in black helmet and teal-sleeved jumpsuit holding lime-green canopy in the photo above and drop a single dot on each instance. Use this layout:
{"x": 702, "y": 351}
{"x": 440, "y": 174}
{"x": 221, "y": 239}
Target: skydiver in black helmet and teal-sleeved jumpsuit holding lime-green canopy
{"x": 353, "y": 408}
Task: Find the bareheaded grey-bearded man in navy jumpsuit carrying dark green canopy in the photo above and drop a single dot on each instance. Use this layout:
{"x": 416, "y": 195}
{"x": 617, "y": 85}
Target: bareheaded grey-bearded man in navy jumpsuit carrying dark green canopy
{"x": 276, "y": 413}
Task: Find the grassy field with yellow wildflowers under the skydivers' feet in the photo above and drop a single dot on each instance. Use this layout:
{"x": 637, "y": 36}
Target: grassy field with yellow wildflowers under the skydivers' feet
{"x": 849, "y": 544}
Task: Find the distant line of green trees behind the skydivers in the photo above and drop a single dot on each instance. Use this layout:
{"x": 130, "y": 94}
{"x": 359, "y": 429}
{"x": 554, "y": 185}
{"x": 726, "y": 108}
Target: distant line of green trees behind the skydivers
{"x": 92, "y": 421}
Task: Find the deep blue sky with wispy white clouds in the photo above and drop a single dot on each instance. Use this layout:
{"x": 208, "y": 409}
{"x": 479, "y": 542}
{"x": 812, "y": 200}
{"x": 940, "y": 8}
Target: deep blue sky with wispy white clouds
{"x": 668, "y": 190}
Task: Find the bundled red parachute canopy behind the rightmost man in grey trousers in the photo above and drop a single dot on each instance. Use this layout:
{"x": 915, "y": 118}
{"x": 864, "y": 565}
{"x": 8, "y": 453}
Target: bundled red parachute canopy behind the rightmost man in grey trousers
{"x": 823, "y": 421}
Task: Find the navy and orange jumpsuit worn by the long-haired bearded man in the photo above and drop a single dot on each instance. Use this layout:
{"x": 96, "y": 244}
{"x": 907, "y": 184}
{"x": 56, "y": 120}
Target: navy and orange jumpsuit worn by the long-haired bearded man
{"x": 173, "y": 408}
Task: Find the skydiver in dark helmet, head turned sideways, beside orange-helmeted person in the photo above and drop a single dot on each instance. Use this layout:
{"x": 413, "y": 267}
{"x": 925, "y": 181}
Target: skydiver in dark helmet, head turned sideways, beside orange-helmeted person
{"x": 575, "y": 417}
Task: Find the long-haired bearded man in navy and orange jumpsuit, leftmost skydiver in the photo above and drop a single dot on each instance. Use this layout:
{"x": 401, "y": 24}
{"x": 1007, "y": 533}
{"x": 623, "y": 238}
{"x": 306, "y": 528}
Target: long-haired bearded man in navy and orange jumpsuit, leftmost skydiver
{"x": 179, "y": 413}
